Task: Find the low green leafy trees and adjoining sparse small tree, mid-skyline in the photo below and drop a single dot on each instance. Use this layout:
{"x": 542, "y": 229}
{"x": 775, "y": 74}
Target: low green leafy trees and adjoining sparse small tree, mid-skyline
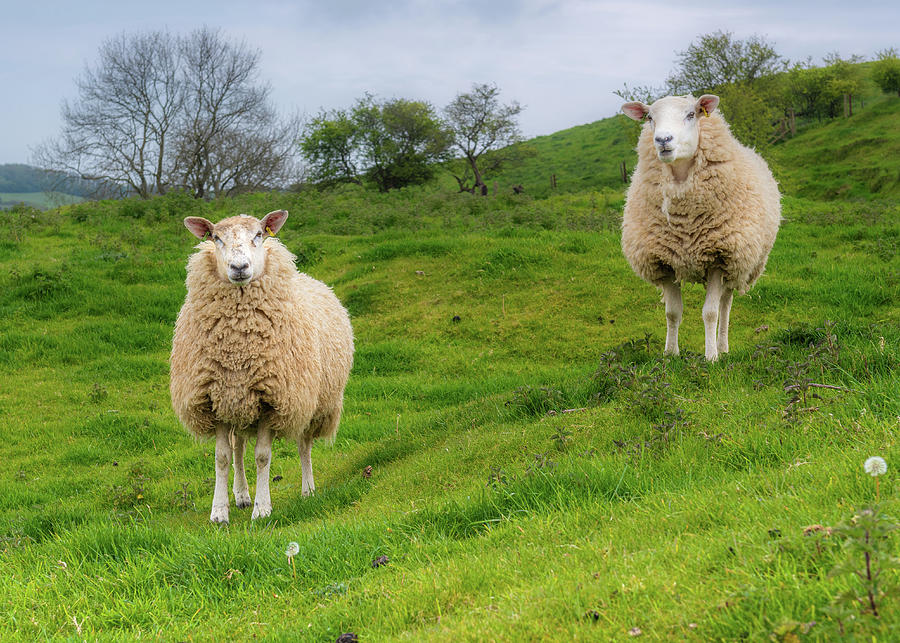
{"x": 399, "y": 142}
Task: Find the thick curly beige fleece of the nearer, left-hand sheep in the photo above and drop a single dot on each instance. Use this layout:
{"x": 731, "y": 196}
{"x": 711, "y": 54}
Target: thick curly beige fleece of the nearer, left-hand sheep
{"x": 279, "y": 349}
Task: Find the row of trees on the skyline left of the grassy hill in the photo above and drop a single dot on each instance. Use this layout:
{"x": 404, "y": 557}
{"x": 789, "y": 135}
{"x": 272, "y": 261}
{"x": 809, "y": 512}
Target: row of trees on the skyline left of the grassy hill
{"x": 159, "y": 112}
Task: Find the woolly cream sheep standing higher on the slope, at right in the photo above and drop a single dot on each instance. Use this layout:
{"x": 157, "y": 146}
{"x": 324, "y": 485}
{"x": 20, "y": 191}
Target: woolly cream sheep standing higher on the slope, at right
{"x": 701, "y": 208}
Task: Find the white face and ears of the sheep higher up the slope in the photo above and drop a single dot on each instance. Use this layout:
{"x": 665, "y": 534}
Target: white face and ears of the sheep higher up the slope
{"x": 673, "y": 122}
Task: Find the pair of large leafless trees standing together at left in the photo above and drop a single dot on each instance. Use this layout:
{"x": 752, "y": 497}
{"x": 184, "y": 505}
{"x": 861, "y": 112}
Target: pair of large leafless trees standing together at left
{"x": 159, "y": 112}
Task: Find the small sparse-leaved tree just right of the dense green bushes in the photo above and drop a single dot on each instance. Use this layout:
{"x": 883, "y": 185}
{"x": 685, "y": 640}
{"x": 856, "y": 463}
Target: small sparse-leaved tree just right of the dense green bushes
{"x": 485, "y": 132}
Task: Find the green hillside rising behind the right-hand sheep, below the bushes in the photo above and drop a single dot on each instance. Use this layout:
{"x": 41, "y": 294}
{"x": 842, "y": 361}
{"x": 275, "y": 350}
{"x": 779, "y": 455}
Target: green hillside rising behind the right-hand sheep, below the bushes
{"x": 847, "y": 158}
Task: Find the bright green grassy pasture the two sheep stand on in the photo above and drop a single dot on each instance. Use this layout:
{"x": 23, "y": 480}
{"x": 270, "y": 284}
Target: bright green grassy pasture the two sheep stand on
{"x": 539, "y": 471}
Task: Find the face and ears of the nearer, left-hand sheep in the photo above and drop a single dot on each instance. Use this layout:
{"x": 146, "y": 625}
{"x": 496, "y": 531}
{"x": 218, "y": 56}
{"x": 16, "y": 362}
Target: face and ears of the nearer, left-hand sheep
{"x": 240, "y": 248}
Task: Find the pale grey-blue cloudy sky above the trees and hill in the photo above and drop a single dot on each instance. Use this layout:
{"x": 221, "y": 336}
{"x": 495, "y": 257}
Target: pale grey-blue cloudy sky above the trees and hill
{"x": 561, "y": 59}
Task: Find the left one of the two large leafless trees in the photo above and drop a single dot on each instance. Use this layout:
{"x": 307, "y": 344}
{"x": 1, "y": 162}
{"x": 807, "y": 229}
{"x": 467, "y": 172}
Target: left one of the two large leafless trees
{"x": 120, "y": 127}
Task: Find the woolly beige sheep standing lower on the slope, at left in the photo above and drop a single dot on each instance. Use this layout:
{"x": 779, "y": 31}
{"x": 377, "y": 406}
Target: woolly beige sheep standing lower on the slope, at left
{"x": 259, "y": 348}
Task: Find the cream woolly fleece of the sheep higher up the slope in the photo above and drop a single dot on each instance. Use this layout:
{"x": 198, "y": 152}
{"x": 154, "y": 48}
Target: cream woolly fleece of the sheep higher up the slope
{"x": 725, "y": 214}
